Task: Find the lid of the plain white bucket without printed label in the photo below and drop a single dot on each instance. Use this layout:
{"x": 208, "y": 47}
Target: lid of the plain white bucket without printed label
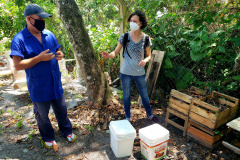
{"x": 122, "y": 129}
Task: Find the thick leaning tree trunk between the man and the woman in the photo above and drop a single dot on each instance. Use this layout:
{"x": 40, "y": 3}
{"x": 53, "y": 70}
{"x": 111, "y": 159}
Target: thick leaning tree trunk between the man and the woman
{"x": 98, "y": 89}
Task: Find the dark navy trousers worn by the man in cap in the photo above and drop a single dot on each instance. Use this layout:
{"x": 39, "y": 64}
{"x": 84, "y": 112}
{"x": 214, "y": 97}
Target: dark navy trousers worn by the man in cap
{"x": 41, "y": 110}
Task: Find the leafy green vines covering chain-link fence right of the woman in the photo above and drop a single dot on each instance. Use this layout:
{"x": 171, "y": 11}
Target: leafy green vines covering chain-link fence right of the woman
{"x": 199, "y": 51}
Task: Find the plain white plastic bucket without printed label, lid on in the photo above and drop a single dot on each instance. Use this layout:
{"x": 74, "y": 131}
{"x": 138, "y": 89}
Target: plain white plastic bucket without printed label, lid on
{"x": 122, "y": 136}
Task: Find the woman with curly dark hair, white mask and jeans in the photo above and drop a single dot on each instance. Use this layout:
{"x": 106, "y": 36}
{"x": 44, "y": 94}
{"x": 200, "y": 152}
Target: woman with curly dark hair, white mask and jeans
{"x": 134, "y": 62}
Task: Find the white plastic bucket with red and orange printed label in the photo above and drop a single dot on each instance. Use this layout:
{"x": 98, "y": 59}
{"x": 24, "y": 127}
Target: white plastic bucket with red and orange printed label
{"x": 153, "y": 141}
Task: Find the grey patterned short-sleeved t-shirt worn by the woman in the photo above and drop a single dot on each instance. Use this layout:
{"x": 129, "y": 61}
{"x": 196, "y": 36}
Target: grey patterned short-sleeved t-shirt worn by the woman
{"x": 130, "y": 66}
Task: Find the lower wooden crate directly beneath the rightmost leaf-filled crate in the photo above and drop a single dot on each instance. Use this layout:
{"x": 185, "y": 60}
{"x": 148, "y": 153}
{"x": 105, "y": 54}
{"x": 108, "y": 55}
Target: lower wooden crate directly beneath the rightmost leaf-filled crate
{"x": 205, "y": 136}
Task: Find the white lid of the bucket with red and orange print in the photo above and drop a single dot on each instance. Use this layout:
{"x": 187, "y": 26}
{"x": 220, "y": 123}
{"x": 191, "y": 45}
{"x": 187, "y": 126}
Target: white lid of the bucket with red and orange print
{"x": 153, "y": 134}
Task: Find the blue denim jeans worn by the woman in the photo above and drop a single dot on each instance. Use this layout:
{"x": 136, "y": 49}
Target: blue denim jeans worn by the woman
{"x": 142, "y": 88}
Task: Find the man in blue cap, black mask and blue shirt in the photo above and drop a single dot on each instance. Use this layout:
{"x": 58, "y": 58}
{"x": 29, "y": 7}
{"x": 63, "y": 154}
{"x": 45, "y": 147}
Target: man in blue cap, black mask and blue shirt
{"x": 36, "y": 50}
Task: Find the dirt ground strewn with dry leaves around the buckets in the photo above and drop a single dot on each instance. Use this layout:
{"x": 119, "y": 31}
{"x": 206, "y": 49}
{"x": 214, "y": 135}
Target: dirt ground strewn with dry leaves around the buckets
{"x": 20, "y": 138}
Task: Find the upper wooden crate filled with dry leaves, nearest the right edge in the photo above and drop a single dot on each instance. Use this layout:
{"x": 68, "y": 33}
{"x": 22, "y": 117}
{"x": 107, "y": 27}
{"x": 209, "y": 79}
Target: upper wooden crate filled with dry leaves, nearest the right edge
{"x": 211, "y": 116}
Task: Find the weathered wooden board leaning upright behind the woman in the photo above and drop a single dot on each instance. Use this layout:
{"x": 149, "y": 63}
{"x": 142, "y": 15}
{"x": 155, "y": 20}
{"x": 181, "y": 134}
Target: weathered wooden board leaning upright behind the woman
{"x": 153, "y": 72}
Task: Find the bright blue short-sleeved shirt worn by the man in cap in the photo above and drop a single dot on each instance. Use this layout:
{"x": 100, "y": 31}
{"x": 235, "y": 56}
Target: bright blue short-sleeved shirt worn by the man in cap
{"x": 44, "y": 78}
